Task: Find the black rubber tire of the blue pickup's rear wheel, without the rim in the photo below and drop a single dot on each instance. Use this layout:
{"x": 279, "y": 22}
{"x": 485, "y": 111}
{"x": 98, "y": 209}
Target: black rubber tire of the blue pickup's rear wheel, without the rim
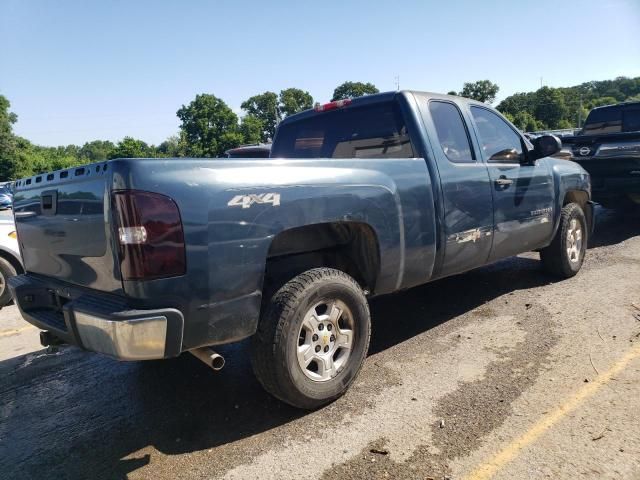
{"x": 275, "y": 346}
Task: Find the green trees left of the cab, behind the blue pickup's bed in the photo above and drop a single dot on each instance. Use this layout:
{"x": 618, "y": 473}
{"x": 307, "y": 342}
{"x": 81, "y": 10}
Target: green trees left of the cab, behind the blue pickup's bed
{"x": 208, "y": 128}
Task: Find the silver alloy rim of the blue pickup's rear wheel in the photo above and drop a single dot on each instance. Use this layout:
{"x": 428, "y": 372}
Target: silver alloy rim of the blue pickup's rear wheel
{"x": 325, "y": 340}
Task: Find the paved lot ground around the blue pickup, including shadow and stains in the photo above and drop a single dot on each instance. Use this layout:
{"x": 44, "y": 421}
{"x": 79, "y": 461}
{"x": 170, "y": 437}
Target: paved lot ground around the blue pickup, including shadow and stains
{"x": 499, "y": 373}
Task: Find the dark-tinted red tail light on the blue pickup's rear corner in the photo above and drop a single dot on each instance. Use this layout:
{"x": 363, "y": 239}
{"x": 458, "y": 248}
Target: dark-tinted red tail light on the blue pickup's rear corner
{"x": 150, "y": 236}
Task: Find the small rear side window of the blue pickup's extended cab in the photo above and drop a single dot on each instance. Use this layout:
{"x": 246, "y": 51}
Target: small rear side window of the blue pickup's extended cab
{"x": 451, "y": 131}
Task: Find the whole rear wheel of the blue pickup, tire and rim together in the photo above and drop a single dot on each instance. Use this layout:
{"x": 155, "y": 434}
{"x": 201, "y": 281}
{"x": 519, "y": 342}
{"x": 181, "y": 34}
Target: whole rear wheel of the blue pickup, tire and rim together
{"x": 313, "y": 338}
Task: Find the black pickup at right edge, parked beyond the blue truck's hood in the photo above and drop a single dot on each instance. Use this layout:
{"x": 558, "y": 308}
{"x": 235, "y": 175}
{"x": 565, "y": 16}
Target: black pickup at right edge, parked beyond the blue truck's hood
{"x": 608, "y": 147}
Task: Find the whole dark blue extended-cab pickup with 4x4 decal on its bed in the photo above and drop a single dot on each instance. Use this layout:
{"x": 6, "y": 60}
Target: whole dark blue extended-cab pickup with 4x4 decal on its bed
{"x": 149, "y": 258}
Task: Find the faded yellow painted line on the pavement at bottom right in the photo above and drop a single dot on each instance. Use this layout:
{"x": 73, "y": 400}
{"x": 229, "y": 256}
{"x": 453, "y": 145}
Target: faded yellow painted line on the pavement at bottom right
{"x": 489, "y": 468}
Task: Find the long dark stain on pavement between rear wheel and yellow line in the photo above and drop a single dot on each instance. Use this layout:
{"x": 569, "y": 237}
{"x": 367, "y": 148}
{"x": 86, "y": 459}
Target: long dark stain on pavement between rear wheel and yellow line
{"x": 469, "y": 413}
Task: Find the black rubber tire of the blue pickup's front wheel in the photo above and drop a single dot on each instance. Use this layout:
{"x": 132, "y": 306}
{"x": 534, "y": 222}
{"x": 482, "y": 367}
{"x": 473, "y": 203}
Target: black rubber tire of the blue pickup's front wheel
{"x": 555, "y": 258}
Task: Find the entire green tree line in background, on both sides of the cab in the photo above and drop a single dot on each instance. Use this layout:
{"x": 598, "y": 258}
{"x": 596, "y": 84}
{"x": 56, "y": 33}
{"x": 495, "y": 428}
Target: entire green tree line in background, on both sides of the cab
{"x": 209, "y": 126}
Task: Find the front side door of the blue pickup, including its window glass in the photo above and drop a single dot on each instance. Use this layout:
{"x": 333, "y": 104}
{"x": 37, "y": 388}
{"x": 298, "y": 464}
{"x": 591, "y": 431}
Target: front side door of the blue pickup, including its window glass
{"x": 522, "y": 193}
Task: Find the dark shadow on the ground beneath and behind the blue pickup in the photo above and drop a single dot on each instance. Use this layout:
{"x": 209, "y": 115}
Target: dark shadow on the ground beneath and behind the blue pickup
{"x": 79, "y": 415}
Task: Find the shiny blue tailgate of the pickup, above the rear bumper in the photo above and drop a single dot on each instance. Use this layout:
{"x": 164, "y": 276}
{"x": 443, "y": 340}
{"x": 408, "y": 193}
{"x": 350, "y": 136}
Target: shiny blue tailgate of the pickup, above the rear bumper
{"x": 63, "y": 224}
